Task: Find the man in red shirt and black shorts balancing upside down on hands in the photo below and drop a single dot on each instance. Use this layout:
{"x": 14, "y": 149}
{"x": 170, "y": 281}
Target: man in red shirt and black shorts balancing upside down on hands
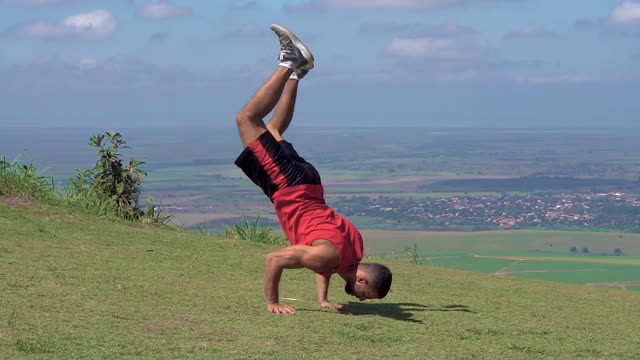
{"x": 321, "y": 240}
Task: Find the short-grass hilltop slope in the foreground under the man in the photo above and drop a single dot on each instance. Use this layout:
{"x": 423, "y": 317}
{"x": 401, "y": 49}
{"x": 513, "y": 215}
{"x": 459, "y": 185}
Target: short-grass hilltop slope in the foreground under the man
{"x": 78, "y": 286}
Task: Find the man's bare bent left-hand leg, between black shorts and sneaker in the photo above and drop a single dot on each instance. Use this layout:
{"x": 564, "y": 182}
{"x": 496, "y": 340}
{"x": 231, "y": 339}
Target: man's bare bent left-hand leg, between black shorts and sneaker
{"x": 249, "y": 119}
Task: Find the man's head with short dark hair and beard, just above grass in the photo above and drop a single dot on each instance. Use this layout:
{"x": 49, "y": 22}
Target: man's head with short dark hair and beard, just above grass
{"x": 372, "y": 281}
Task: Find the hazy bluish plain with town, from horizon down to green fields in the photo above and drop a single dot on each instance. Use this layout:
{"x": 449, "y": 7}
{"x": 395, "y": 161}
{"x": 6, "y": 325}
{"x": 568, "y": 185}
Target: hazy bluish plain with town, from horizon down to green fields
{"x": 396, "y": 179}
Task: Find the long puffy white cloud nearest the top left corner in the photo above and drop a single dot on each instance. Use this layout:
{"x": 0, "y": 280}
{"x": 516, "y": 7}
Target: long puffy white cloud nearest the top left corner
{"x": 95, "y": 24}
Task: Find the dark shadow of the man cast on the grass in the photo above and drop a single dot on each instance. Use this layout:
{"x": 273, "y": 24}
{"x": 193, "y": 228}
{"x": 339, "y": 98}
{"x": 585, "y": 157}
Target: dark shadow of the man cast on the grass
{"x": 398, "y": 311}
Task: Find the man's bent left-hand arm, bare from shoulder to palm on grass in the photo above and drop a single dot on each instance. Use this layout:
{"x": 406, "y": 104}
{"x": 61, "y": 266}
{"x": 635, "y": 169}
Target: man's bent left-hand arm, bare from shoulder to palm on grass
{"x": 323, "y": 256}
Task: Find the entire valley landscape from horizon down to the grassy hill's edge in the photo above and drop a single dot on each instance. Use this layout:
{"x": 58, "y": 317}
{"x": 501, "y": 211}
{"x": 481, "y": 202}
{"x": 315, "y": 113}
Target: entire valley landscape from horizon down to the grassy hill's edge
{"x": 569, "y": 198}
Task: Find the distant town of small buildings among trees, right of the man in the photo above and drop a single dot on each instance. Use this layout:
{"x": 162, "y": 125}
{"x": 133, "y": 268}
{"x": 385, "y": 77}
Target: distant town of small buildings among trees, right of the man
{"x": 584, "y": 210}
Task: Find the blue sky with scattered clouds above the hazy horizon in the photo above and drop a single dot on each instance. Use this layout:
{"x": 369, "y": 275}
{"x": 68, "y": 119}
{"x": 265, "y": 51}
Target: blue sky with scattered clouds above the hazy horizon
{"x": 435, "y": 63}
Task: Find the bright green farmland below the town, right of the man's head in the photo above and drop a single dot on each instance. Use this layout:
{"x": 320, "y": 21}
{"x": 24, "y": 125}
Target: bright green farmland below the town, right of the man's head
{"x": 532, "y": 254}
